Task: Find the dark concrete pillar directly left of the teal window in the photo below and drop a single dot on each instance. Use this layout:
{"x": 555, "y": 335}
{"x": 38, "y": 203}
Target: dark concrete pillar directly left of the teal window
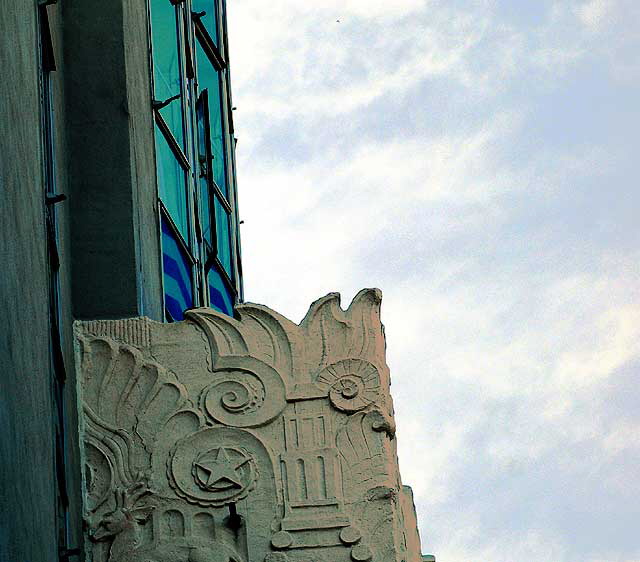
{"x": 115, "y": 242}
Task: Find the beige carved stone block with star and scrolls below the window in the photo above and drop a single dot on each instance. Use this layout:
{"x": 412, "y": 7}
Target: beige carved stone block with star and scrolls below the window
{"x": 248, "y": 440}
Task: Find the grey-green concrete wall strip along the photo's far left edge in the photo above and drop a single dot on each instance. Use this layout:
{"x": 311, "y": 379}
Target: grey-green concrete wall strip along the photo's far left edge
{"x": 27, "y": 483}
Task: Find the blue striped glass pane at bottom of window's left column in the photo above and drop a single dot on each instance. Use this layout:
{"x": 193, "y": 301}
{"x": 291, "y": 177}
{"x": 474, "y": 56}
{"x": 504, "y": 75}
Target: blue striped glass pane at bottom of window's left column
{"x": 178, "y": 295}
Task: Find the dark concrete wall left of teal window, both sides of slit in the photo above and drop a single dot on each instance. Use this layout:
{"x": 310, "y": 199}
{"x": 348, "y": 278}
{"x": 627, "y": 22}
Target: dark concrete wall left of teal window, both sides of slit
{"x": 108, "y": 238}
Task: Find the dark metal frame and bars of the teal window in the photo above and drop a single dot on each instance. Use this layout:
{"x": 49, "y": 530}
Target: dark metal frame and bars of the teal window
{"x": 202, "y": 255}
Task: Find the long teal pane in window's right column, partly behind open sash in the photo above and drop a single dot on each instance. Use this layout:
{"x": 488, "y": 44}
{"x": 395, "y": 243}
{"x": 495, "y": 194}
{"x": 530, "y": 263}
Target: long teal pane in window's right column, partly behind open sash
{"x": 210, "y": 79}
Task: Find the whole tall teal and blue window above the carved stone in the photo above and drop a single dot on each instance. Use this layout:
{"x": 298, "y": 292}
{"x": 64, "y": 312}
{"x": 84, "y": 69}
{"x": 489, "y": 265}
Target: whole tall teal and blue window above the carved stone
{"x": 194, "y": 156}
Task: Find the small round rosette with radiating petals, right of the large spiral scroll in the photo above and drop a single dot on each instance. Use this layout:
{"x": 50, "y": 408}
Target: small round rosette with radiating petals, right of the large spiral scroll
{"x": 352, "y": 384}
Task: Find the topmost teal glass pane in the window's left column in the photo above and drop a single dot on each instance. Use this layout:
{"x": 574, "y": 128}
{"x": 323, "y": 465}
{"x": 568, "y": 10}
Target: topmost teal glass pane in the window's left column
{"x": 166, "y": 64}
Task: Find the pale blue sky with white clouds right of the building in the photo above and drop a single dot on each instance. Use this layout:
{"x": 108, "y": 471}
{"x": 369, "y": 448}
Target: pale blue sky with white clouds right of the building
{"x": 478, "y": 162}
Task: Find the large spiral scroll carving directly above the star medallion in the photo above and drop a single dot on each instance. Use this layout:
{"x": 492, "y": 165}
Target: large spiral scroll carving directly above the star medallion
{"x": 243, "y": 392}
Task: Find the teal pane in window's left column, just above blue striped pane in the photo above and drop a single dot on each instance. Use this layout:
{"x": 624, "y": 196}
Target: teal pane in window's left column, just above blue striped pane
{"x": 172, "y": 184}
